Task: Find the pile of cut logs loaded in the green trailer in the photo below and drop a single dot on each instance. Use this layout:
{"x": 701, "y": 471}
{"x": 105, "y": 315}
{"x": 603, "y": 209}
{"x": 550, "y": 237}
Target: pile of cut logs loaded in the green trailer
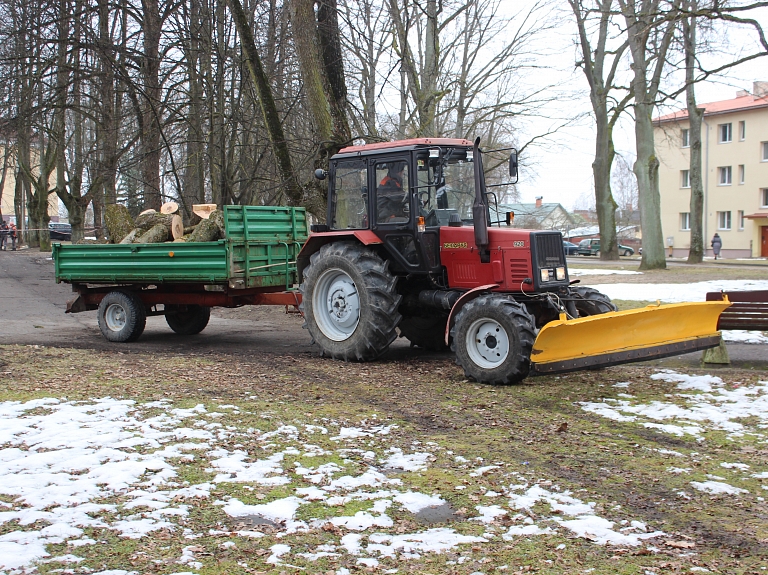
{"x": 151, "y": 227}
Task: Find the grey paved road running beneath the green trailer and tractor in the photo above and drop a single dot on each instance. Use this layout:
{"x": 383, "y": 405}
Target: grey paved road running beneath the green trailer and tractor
{"x": 32, "y": 310}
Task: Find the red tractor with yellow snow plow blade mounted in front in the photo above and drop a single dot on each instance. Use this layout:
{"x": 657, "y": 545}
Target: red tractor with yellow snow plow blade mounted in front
{"x": 411, "y": 244}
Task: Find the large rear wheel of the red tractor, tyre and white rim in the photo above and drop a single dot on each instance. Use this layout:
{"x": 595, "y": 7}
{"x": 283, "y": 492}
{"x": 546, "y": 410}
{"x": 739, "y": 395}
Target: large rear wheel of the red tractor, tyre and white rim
{"x": 350, "y": 302}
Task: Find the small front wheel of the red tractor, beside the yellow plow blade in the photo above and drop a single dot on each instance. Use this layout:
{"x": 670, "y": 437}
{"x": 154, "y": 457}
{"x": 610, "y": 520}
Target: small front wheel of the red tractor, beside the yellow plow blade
{"x": 493, "y": 337}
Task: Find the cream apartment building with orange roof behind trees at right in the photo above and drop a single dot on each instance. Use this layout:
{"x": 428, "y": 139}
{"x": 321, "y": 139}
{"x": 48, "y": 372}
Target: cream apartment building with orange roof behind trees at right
{"x": 734, "y": 169}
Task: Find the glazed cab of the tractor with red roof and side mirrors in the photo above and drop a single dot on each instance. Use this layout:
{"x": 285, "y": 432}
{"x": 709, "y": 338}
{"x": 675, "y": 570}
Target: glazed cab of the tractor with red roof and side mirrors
{"x": 406, "y": 191}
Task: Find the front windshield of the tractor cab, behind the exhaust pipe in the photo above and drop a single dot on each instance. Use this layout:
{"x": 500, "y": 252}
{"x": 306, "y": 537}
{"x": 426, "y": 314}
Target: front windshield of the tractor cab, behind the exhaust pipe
{"x": 446, "y": 187}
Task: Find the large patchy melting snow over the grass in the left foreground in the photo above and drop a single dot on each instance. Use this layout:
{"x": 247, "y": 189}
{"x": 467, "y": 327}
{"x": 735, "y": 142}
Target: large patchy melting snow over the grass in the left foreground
{"x": 74, "y": 470}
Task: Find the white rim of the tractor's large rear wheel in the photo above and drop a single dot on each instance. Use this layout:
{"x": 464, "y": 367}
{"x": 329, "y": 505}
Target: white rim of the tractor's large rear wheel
{"x": 336, "y": 305}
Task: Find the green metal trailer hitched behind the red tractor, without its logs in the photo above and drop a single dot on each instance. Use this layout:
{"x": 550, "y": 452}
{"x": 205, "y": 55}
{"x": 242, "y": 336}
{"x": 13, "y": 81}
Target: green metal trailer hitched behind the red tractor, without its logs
{"x": 255, "y": 264}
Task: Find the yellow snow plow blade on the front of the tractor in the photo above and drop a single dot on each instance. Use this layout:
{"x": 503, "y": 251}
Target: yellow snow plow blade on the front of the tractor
{"x": 626, "y": 336}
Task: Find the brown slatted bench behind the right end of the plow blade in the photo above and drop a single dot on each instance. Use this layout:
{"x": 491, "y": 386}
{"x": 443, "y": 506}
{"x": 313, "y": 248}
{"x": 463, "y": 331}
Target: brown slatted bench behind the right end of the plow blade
{"x": 749, "y": 311}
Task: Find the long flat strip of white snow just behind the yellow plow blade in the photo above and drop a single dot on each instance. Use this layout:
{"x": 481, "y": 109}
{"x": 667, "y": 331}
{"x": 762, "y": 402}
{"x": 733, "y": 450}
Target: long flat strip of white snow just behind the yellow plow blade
{"x": 676, "y": 293}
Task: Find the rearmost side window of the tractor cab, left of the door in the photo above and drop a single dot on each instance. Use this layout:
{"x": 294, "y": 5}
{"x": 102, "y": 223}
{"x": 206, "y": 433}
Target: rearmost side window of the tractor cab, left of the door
{"x": 350, "y": 202}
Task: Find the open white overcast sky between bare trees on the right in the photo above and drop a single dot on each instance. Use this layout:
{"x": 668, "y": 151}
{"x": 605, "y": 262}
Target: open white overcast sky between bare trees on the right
{"x": 562, "y": 171}
